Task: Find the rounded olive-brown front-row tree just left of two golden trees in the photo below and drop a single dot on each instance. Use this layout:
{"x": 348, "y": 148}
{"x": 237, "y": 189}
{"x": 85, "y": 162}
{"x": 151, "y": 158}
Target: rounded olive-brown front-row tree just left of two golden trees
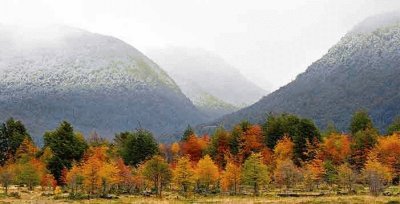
{"x": 157, "y": 171}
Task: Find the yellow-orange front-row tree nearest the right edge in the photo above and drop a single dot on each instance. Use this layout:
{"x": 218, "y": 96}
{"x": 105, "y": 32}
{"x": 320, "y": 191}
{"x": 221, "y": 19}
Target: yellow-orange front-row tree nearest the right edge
{"x": 376, "y": 175}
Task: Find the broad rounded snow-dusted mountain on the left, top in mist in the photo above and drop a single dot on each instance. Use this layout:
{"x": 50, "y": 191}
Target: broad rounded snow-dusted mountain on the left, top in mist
{"x": 96, "y": 82}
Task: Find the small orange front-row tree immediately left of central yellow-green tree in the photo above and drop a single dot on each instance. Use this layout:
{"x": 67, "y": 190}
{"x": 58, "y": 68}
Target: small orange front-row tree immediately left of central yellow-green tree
{"x": 231, "y": 177}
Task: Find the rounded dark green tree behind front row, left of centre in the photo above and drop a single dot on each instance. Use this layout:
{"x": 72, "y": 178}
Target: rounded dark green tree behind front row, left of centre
{"x": 137, "y": 147}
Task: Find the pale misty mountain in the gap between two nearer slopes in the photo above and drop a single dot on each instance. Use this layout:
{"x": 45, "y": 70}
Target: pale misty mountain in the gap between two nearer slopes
{"x": 214, "y": 86}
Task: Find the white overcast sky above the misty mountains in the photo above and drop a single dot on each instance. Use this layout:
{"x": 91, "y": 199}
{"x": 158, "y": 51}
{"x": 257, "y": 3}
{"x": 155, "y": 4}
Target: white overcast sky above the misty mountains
{"x": 270, "y": 42}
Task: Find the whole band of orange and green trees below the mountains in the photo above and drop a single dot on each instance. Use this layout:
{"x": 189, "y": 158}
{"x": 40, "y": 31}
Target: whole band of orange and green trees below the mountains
{"x": 286, "y": 156}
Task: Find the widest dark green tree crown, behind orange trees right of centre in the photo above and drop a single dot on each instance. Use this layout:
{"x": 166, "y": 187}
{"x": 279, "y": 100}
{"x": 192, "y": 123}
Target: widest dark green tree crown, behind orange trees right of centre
{"x": 298, "y": 129}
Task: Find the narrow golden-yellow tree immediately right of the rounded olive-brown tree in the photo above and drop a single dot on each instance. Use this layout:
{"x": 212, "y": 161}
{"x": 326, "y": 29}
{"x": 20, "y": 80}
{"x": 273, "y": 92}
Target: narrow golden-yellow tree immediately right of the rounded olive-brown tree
{"x": 184, "y": 175}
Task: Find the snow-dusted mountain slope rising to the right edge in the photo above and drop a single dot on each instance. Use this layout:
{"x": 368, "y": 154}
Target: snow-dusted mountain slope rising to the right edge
{"x": 360, "y": 72}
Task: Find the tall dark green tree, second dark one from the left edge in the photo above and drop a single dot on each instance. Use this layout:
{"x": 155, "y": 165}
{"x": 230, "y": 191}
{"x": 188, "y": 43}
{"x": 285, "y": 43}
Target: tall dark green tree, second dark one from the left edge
{"x": 66, "y": 147}
